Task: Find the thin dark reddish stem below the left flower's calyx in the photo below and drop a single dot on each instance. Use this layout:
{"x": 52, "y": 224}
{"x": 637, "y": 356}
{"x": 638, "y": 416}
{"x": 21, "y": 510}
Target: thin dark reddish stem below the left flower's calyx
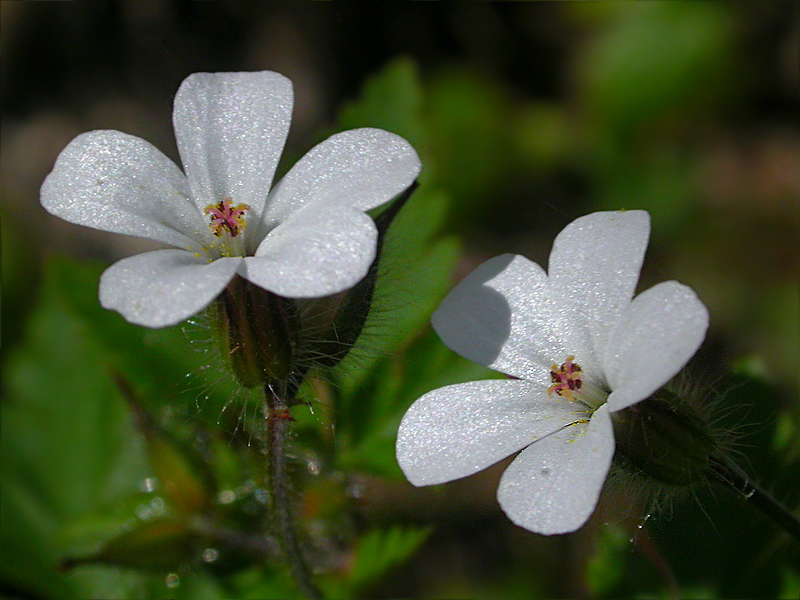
{"x": 278, "y": 420}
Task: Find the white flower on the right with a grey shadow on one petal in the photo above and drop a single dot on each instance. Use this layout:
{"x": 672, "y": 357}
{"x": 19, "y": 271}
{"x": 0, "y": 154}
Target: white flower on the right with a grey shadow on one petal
{"x": 581, "y": 348}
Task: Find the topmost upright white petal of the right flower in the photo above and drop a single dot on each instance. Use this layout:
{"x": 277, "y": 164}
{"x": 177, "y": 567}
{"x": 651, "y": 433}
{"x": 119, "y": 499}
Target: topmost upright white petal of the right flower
{"x": 594, "y": 268}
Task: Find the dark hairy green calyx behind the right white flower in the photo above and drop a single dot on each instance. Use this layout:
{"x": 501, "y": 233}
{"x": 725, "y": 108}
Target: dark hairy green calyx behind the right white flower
{"x": 665, "y": 439}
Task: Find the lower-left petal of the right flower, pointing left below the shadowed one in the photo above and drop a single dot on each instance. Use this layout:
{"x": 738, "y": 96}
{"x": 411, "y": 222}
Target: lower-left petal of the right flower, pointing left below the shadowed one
{"x": 461, "y": 429}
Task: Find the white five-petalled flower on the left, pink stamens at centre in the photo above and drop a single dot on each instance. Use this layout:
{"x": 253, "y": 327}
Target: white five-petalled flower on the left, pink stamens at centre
{"x": 308, "y": 236}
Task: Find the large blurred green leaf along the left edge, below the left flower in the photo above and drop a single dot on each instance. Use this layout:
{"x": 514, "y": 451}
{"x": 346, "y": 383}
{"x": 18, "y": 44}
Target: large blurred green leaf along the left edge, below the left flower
{"x": 68, "y": 444}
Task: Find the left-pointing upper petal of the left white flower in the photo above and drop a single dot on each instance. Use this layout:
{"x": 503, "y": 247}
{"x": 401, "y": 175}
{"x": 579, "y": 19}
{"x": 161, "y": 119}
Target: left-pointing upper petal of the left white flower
{"x": 117, "y": 182}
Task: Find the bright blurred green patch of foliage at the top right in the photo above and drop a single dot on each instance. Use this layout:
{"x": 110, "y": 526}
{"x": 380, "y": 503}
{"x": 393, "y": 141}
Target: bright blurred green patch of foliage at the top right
{"x": 656, "y": 62}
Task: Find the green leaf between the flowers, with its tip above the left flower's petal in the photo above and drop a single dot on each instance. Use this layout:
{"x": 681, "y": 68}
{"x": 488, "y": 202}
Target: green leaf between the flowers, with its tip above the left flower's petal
{"x": 397, "y": 357}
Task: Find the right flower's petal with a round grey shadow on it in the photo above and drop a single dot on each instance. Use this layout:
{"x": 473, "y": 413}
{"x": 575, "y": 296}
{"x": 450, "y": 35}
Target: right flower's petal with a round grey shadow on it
{"x": 500, "y": 316}
